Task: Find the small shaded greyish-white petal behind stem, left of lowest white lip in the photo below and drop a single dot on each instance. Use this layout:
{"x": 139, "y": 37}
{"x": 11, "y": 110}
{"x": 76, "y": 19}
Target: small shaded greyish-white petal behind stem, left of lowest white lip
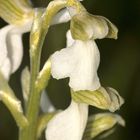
{"x": 45, "y": 103}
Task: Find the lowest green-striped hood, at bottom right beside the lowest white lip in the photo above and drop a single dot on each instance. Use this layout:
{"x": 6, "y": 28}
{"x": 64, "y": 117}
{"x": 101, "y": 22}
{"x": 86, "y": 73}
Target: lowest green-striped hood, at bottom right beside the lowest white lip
{"x": 97, "y": 124}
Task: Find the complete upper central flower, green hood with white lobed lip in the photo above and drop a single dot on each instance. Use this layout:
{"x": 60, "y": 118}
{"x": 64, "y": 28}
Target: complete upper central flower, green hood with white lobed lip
{"x": 80, "y": 59}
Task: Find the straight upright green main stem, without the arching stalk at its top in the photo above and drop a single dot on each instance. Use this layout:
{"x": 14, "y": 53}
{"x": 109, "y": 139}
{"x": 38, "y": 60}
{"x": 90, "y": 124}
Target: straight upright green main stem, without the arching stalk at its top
{"x": 36, "y": 42}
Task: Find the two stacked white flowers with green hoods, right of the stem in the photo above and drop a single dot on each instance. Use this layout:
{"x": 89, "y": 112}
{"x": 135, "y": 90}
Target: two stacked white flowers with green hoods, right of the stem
{"x": 79, "y": 61}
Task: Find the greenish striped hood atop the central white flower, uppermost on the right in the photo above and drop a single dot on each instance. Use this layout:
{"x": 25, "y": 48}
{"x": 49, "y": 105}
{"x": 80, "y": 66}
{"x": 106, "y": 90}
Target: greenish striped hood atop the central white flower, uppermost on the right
{"x": 85, "y": 26}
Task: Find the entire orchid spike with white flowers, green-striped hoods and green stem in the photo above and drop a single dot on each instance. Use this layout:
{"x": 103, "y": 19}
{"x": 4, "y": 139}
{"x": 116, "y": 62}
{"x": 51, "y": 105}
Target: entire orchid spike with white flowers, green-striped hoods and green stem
{"x": 79, "y": 61}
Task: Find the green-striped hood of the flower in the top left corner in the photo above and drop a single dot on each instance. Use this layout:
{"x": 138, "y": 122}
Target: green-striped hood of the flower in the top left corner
{"x": 15, "y": 11}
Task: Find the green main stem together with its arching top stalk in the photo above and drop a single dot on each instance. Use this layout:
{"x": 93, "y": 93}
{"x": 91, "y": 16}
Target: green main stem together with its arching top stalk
{"x": 37, "y": 37}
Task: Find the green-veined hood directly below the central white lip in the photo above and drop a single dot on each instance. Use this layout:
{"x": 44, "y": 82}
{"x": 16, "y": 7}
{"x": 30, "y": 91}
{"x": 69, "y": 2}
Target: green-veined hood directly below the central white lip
{"x": 101, "y": 98}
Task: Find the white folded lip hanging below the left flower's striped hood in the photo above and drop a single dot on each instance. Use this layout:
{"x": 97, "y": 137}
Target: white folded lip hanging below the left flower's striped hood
{"x": 11, "y": 47}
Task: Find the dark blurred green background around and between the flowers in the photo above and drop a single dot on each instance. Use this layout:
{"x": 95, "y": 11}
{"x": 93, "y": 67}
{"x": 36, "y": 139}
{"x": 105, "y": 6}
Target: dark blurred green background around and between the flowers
{"x": 119, "y": 67}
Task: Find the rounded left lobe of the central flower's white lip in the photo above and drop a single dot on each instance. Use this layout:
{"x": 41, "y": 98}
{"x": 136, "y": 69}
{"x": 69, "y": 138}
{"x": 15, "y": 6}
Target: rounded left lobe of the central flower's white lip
{"x": 62, "y": 63}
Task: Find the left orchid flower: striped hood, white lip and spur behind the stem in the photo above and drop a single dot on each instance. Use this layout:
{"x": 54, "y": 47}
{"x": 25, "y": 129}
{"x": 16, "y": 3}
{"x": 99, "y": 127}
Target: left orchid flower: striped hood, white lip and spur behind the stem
{"x": 19, "y": 15}
